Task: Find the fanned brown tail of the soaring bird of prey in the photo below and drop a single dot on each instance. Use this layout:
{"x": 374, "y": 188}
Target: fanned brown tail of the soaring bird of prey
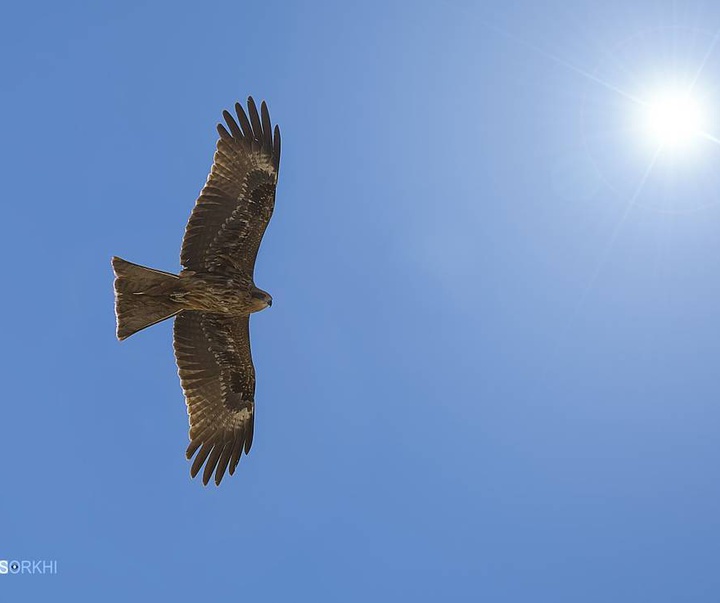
{"x": 142, "y": 297}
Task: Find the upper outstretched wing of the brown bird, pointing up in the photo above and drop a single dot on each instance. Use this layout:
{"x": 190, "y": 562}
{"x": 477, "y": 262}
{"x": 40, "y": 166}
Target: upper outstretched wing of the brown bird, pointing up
{"x": 235, "y": 206}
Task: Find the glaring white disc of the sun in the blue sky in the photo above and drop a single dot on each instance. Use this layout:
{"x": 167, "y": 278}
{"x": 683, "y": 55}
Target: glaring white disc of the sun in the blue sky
{"x": 674, "y": 119}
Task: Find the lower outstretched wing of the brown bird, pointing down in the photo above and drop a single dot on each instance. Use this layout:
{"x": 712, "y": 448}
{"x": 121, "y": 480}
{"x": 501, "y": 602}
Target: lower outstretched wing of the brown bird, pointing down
{"x": 218, "y": 378}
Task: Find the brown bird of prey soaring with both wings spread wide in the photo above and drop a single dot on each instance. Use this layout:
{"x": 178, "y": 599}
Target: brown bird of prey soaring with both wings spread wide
{"x": 214, "y": 294}
